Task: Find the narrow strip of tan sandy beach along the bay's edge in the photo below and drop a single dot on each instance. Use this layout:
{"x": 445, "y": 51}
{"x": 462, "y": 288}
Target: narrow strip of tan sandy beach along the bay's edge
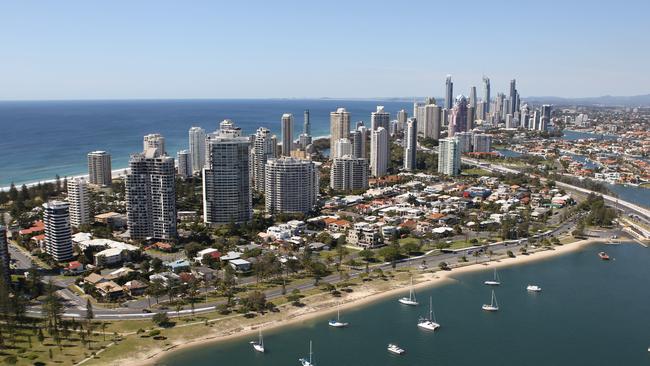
{"x": 354, "y": 300}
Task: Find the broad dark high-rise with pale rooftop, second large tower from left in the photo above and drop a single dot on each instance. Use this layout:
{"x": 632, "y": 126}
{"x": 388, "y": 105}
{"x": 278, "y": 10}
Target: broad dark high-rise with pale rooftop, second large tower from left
{"x": 151, "y": 196}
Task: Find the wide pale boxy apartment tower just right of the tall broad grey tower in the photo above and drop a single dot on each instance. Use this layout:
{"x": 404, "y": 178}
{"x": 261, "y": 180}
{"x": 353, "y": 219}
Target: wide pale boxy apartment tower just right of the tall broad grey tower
{"x": 291, "y": 185}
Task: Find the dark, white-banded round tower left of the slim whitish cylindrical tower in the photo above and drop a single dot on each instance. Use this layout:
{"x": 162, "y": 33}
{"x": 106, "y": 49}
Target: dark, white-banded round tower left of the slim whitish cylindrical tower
{"x": 58, "y": 234}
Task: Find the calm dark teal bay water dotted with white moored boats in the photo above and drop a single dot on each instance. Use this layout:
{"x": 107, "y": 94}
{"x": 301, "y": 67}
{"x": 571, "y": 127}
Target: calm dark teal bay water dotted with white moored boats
{"x": 590, "y": 312}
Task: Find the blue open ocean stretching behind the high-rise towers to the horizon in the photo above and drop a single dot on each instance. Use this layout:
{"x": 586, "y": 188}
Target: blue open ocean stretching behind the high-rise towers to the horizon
{"x": 45, "y": 138}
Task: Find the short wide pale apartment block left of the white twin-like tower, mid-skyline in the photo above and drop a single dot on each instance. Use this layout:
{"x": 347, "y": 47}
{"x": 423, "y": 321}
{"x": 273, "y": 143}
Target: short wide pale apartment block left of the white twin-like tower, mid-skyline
{"x": 349, "y": 174}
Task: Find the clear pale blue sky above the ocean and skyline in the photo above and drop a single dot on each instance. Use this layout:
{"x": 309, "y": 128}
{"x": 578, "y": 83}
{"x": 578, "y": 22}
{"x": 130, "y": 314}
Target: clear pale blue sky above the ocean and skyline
{"x": 80, "y": 49}
